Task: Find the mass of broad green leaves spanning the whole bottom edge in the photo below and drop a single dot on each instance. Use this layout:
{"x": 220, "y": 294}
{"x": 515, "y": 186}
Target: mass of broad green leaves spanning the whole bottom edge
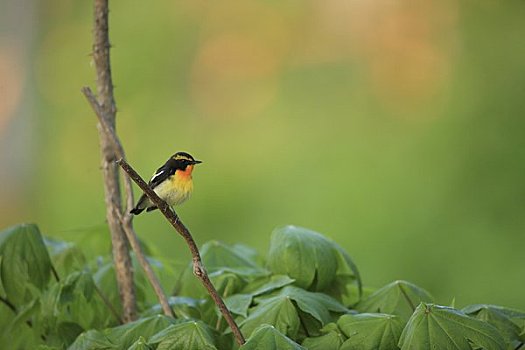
{"x": 307, "y": 294}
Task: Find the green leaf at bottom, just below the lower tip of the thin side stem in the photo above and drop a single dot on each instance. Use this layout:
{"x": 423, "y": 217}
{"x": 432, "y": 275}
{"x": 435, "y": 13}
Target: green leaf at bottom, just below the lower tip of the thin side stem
{"x": 124, "y": 336}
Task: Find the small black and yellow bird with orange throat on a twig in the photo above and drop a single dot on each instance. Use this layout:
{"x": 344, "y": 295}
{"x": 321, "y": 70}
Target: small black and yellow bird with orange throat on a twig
{"x": 172, "y": 182}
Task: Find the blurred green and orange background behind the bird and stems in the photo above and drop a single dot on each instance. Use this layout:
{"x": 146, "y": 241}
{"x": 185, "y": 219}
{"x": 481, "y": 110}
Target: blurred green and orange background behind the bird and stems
{"x": 395, "y": 128}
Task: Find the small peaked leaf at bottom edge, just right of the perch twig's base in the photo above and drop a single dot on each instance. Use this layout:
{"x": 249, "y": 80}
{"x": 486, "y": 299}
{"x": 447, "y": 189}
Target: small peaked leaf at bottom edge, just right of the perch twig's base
{"x": 266, "y": 337}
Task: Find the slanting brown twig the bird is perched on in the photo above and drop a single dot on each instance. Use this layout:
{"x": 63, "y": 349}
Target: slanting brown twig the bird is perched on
{"x": 198, "y": 268}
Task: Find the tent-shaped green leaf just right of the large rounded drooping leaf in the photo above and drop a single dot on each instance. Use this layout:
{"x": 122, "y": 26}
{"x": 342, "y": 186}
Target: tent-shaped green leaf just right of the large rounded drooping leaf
{"x": 397, "y": 298}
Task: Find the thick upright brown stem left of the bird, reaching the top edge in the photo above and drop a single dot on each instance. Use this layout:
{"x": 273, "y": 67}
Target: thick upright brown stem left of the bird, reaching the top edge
{"x": 107, "y": 111}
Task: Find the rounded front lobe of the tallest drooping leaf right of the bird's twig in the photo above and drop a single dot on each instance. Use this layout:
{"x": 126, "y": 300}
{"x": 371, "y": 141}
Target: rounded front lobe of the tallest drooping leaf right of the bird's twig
{"x": 304, "y": 255}
